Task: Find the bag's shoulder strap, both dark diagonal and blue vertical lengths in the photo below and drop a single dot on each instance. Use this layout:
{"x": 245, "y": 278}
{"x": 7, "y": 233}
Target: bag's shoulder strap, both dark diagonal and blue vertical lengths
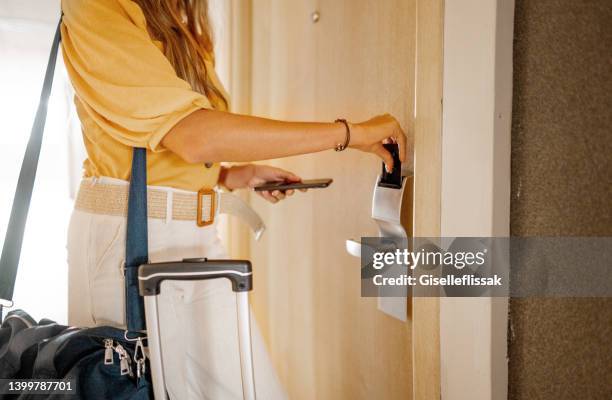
{"x": 136, "y": 238}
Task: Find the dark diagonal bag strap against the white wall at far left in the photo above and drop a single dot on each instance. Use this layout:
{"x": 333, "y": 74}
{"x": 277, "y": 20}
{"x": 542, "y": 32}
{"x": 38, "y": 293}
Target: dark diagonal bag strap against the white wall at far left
{"x": 11, "y": 251}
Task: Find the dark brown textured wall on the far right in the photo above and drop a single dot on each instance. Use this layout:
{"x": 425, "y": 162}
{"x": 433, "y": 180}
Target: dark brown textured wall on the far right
{"x": 561, "y": 185}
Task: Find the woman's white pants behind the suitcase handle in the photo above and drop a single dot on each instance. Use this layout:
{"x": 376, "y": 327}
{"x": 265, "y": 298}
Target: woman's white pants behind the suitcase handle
{"x": 198, "y": 319}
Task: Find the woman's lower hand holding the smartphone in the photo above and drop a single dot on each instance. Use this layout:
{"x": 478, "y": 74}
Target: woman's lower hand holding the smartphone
{"x": 251, "y": 175}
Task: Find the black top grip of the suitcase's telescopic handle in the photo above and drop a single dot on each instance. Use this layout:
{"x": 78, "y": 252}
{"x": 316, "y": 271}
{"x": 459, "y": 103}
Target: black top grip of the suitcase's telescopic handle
{"x": 239, "y": 272}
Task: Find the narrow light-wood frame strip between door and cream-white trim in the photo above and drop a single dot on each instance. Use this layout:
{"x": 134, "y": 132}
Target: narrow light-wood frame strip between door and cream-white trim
{"x": 427, "y": 188}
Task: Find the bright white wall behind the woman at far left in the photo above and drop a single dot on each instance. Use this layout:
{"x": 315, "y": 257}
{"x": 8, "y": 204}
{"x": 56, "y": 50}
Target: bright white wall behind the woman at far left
{"x": 26, "y": 32}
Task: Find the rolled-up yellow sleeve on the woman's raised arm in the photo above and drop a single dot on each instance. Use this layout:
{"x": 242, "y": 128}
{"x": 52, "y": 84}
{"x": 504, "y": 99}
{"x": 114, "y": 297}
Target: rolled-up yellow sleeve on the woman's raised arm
{"x": 122, "y": 78}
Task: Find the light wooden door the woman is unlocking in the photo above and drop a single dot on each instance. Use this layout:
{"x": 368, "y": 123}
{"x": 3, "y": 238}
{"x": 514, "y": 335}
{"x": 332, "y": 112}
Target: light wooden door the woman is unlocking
{"x": 356, "y": 61}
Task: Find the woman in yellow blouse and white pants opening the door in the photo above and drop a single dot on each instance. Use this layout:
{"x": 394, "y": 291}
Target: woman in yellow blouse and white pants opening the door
{"x": 143, "y": 72}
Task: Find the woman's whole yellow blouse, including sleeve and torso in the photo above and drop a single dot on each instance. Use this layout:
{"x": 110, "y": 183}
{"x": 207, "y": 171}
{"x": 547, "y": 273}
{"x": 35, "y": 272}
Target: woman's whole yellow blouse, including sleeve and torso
{"x": 128, "y": 94}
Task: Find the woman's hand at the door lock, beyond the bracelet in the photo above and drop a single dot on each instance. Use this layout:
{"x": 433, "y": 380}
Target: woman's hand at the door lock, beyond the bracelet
{"x": 370, "y": 135}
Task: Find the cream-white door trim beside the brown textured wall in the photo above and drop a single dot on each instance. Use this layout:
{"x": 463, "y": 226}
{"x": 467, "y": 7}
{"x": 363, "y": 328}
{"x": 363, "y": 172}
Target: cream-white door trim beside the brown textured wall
{"x": 475, "y": 197}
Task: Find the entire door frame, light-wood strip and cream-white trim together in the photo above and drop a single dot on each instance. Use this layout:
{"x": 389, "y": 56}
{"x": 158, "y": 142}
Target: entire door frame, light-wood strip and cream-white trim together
{"x": 462, "y": 186}
